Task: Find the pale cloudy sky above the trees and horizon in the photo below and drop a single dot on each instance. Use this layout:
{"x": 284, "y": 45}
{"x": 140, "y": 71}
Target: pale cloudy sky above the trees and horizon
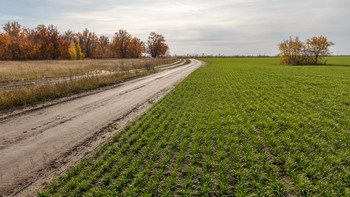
{"x": 229, "y": 27}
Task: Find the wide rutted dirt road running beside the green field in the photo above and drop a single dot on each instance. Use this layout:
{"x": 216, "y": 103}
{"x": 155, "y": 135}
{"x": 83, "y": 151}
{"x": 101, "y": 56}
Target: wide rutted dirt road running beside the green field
{"x": 39, "y": 145}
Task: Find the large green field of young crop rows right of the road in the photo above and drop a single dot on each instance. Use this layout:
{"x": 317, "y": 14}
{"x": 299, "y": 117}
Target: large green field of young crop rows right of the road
{"x": 237, "y": 127}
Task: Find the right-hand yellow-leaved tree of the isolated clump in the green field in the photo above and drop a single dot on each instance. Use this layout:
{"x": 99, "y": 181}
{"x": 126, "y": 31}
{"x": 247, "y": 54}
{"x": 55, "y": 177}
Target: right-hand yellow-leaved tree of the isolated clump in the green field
{"x": 318, "y": 48}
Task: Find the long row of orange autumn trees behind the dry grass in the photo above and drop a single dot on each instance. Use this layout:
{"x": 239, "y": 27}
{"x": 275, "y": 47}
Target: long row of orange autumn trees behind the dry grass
{"x": 45, "y": 42}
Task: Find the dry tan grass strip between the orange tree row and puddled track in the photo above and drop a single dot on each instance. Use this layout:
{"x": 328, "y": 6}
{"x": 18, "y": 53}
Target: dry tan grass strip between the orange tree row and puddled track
{"x": 11, "y": 71}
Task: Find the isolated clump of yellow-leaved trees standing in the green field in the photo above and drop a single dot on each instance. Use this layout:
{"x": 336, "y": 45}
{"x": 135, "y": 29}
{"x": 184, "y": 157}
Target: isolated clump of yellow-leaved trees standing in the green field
{"x": 312, "y": 51}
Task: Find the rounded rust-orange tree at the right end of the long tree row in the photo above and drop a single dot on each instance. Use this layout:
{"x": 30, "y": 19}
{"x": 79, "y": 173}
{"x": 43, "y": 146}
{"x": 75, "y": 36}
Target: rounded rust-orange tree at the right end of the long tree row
{"x": 156, "y": 46}
